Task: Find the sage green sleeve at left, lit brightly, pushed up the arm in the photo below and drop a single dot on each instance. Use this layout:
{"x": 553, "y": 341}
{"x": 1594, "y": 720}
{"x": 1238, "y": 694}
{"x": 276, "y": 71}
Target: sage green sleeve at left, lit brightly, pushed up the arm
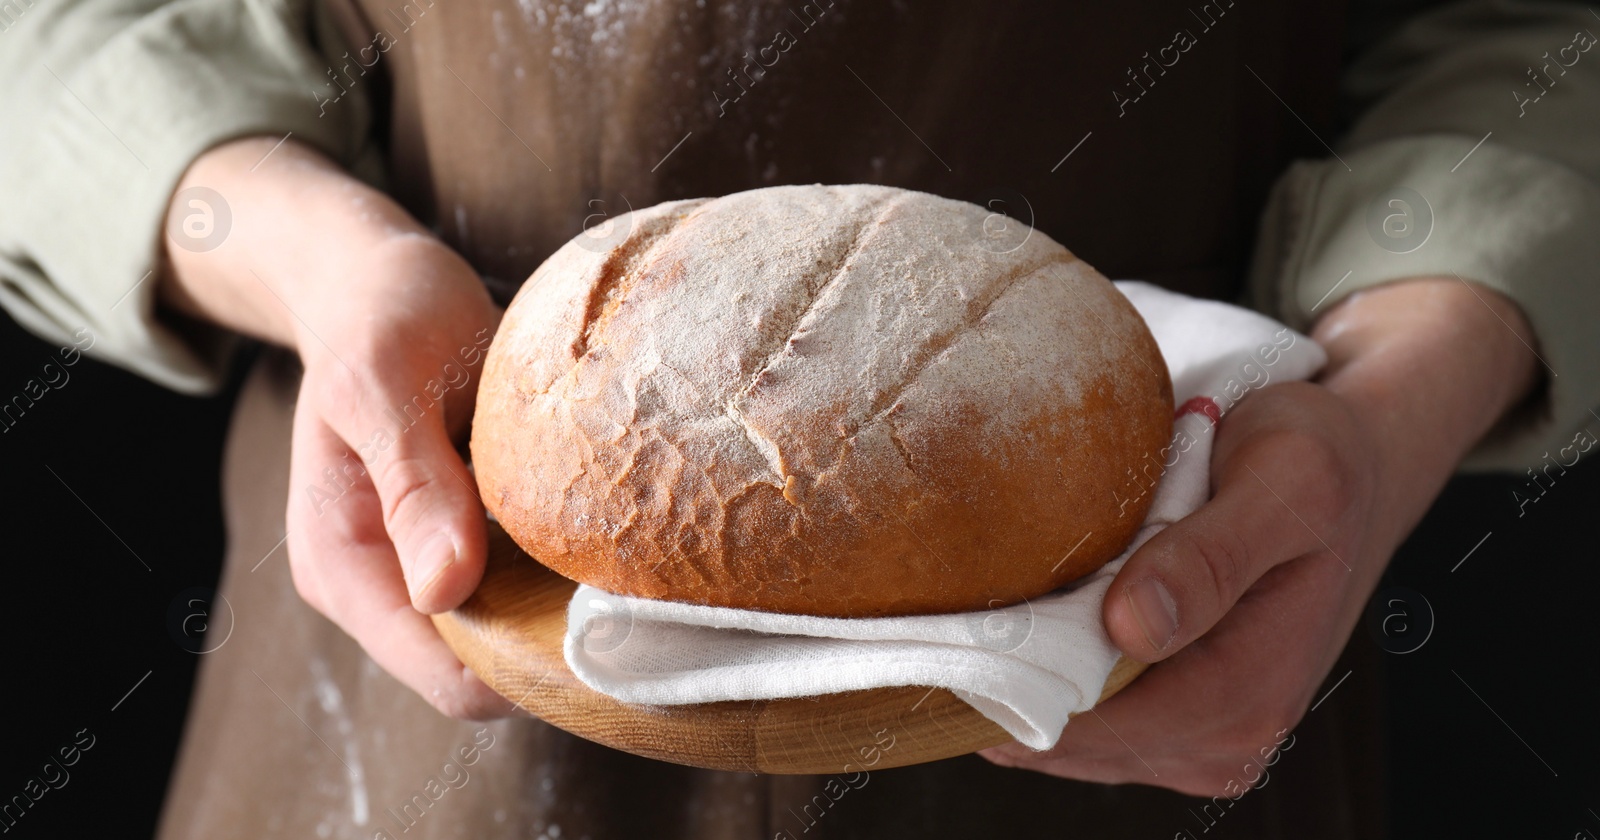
{"x": 108, "y": 103}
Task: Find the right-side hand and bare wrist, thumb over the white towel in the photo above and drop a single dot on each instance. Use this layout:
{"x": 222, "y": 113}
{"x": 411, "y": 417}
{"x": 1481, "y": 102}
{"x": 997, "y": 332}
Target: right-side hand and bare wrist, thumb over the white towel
{"x": 1247, "y": 602}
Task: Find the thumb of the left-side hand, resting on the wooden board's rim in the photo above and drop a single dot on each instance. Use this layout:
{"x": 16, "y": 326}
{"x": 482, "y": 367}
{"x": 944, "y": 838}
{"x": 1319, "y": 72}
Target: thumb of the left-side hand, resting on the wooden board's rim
{"x": 430, "y": 503}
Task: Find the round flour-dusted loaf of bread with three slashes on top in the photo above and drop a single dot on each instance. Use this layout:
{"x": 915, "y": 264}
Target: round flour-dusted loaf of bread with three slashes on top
{"x": 823, "y": 401}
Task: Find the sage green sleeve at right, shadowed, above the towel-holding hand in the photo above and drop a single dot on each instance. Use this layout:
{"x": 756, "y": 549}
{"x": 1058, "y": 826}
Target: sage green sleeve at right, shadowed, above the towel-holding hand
{"x": 1478, "y": 154}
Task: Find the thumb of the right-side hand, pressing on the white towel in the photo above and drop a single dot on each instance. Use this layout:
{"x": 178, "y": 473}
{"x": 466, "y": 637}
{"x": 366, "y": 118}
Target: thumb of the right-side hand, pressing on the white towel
{"x": 1188, "y": 577}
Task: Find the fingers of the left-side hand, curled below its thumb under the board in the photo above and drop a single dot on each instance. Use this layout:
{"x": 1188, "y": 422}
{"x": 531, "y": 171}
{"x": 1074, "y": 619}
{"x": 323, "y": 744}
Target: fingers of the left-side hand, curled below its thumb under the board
{"x": 346, "y": 567}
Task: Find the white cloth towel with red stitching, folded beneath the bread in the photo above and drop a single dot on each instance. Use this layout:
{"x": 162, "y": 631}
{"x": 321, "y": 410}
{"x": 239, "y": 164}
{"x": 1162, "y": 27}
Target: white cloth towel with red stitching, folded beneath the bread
{"x": 1028, "y": 666}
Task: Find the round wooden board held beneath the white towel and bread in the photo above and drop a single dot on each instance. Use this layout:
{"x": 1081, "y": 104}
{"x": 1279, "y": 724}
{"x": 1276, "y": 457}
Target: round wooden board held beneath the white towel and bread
{"x": 511, "y": 634}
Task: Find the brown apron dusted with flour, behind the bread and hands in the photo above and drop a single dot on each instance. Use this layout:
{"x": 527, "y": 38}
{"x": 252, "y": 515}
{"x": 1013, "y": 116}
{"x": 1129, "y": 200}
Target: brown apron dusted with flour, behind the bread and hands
{"x": 1140, "y": 135}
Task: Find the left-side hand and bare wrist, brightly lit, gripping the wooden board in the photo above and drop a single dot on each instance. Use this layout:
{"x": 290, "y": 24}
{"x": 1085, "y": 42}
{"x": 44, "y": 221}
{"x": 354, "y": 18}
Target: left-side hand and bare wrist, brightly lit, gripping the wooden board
{"x": 391, "y": 327}
